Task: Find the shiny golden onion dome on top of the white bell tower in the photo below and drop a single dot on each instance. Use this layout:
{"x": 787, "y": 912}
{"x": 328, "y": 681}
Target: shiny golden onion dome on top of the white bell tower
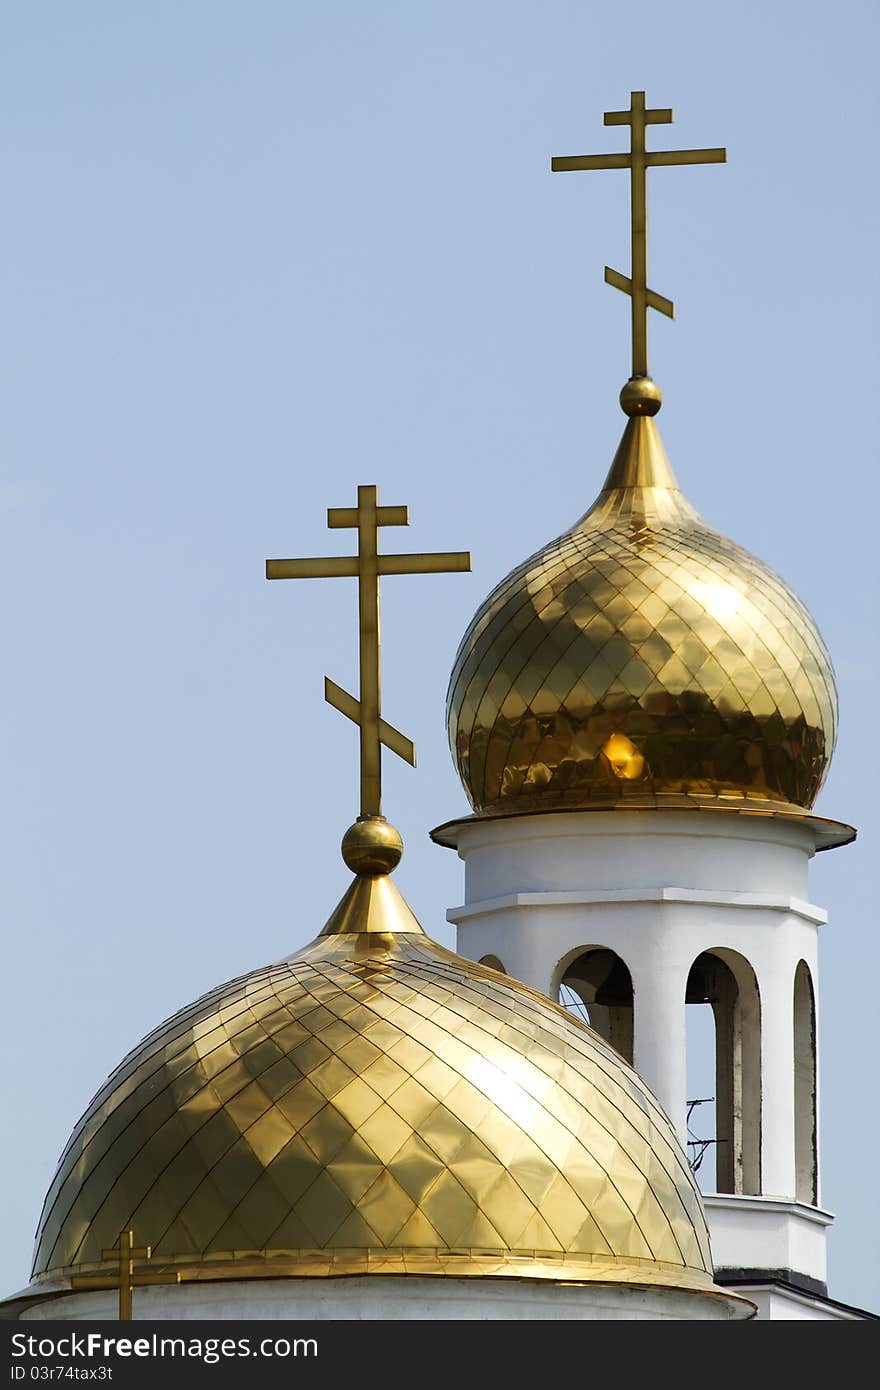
{"x": 642, "y": 658}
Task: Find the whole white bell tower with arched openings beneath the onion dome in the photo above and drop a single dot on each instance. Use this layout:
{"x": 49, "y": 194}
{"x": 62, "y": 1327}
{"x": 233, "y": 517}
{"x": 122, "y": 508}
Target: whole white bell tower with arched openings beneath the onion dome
{"x": 642, "y": 913}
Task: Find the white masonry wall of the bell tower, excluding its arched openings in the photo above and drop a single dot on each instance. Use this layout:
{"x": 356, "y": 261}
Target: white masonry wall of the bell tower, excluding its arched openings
{"x": 662, "y": 889}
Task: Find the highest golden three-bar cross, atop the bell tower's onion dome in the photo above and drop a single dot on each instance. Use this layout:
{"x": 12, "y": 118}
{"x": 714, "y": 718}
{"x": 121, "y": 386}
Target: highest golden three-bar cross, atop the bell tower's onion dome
{"x": 639, "y": 162}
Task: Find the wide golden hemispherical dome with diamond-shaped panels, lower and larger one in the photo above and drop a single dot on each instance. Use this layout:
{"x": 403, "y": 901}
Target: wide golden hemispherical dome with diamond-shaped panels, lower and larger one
{"x": 376, "y": 1104}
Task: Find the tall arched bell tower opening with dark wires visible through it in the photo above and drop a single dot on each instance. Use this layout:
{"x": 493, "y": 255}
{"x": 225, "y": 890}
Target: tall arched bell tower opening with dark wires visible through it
{"x": 726, "y": 982}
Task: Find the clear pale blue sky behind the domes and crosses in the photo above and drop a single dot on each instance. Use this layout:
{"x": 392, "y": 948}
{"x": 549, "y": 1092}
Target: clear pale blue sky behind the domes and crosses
{"x": 258, "y": 254}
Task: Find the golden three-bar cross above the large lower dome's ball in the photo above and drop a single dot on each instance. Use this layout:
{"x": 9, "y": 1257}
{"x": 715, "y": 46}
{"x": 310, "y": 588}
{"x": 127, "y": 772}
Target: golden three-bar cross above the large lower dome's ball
{"x": 366, "y": 568}
